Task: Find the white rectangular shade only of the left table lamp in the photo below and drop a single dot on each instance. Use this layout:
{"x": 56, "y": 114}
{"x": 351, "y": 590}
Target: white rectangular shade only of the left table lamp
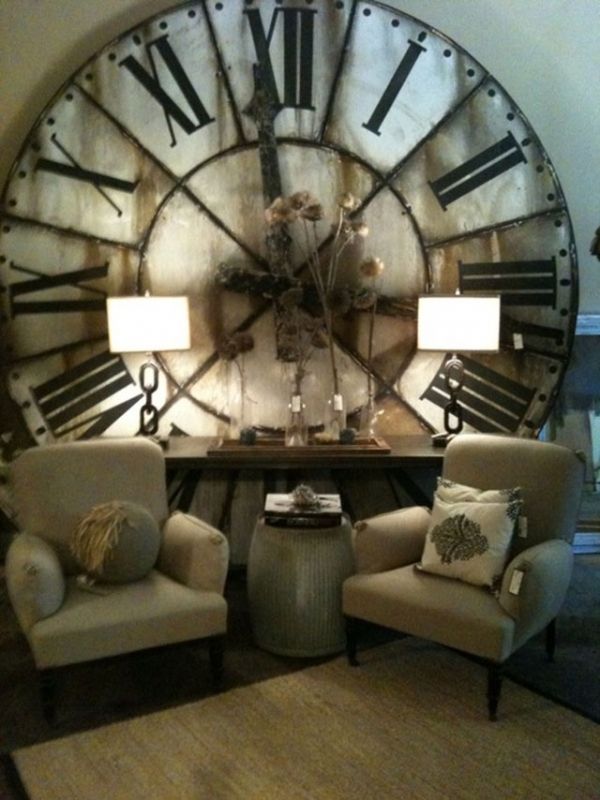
{"x": 148, "y": 324}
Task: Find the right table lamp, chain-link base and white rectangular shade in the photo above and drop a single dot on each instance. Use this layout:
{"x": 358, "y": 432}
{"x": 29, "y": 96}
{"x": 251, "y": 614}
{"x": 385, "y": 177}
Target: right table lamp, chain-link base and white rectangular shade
{"x": 457, "y": 323}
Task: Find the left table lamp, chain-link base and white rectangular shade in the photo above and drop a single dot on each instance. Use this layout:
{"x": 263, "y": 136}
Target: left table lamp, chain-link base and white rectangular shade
{"x": 147, "y": 324}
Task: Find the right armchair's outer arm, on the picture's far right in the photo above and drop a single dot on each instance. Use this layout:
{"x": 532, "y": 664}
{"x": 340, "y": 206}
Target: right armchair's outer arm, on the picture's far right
{"x": 547, "y": 569}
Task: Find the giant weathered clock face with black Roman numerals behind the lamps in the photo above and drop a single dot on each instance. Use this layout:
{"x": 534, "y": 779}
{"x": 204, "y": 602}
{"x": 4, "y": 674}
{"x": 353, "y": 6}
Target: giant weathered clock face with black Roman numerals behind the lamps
{"x": 145, "y": 173}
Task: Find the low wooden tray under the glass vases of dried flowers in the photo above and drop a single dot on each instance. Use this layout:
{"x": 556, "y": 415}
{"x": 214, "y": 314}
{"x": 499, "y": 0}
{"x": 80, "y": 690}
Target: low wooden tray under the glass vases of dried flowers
{"x": 274, "y": 445}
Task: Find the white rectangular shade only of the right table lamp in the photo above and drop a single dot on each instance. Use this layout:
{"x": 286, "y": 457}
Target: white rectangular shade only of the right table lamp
{"x": 459, "y": 323}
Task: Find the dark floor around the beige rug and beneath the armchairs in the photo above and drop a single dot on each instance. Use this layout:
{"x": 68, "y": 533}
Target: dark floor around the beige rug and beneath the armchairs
{"x": 93, "y": 695}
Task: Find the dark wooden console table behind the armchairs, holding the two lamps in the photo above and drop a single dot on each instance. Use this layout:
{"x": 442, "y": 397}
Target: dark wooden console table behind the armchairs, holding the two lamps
{"x": 227, "y": 488}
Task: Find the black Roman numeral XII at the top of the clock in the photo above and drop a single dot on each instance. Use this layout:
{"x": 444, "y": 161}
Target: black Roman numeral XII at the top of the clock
{"x": 298, "y": 46}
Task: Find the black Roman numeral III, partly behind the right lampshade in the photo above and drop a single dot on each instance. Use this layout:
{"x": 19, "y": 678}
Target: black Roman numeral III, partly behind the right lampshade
{"x": 521, "y": 283}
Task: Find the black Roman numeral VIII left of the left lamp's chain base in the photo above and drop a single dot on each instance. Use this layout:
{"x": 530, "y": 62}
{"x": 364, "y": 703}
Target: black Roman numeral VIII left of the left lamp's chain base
{"x": 65, "y": 399}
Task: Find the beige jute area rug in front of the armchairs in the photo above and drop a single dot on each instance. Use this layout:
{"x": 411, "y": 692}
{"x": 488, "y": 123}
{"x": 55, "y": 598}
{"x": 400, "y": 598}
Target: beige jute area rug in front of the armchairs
{"x": 410, "y": 722}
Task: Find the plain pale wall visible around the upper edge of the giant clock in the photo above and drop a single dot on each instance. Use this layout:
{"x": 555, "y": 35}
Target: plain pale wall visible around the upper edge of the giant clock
{"x": 544, "y": 52}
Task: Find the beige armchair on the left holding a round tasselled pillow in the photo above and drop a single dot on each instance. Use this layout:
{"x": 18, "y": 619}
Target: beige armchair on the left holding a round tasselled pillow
{"x": 65, "y": 622}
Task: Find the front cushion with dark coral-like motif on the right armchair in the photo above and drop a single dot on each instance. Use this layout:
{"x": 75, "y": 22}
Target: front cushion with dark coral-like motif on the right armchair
{"x": 469, "y": 540}
